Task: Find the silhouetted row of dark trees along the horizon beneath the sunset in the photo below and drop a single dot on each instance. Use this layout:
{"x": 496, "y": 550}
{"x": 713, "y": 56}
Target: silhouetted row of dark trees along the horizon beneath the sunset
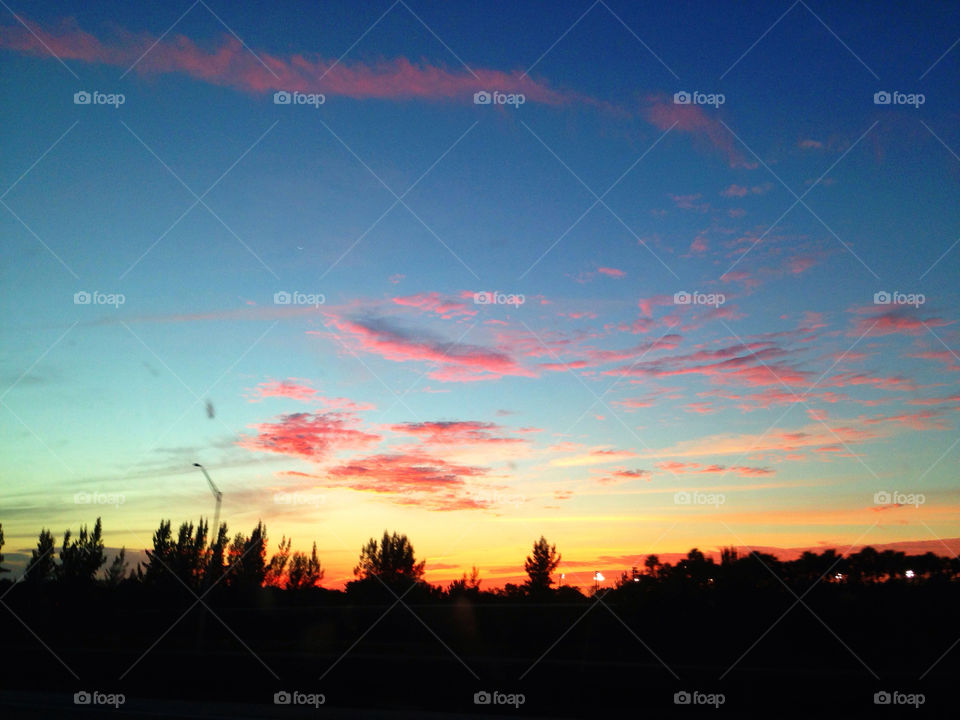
{"x": 241, "y": 563}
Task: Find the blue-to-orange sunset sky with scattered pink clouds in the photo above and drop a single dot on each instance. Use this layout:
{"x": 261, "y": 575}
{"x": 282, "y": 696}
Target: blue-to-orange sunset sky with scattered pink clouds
{"x": 686, "y": 280}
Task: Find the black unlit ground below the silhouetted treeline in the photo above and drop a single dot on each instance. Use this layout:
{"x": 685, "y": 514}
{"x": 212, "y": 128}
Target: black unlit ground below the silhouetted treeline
{"x": 731, "y": 651}
